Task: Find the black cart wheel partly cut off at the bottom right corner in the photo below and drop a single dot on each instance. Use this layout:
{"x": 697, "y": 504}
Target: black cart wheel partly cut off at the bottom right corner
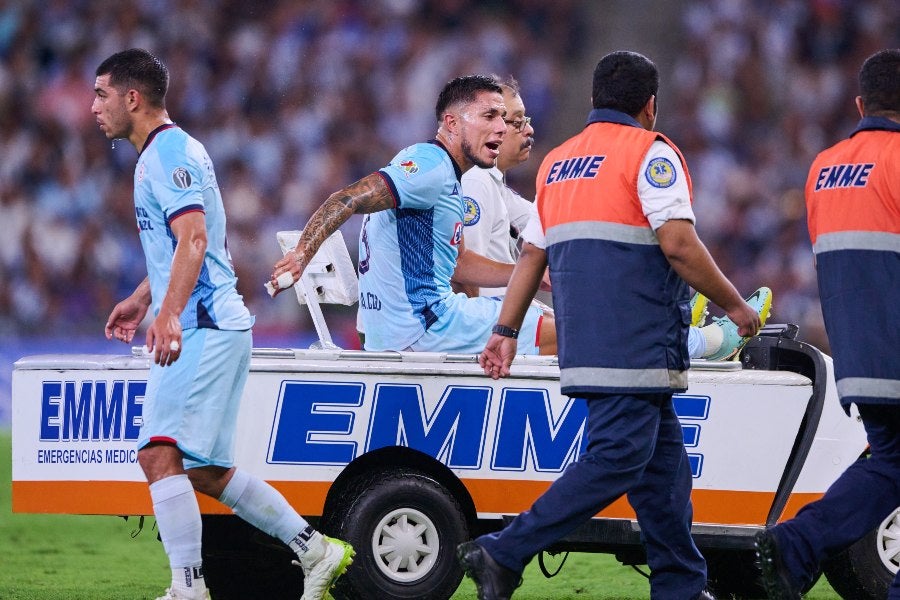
{"x": 859, "y": 573}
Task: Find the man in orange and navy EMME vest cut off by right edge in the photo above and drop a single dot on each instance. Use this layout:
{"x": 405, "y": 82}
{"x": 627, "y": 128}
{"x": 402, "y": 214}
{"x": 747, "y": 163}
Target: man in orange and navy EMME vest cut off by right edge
{"x": 853, "y": 211}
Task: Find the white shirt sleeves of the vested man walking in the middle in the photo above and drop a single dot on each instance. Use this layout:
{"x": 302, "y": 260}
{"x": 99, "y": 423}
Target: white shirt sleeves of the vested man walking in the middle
{"x": 660, "y": 203}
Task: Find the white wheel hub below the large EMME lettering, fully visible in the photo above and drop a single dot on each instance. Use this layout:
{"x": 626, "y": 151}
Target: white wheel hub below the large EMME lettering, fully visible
{"x": 405, "y": 545}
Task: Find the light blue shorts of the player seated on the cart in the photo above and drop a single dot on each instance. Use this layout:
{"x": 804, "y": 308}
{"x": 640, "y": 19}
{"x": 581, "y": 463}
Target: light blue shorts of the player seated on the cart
{"x": 466, "y": 327}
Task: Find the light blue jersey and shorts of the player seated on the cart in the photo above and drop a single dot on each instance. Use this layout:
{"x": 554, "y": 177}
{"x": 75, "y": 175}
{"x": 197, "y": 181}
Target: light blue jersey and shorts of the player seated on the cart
{"x": 407, "y": 256}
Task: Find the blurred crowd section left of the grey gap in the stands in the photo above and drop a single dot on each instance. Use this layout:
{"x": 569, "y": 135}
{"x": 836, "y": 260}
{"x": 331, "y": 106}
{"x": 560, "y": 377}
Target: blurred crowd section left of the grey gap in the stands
{"x": 292, "y": 100}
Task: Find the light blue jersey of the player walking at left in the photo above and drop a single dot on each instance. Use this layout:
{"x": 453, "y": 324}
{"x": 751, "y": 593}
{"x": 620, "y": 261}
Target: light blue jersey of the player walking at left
{"x": 174, "y": 175}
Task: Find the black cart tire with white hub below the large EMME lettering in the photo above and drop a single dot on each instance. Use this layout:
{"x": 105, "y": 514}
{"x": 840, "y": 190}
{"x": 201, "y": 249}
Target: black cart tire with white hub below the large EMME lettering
{"x": 393, "y": 502}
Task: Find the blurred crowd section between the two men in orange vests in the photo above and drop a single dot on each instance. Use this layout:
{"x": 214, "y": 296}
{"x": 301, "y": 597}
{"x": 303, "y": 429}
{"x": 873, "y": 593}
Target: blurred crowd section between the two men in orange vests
{"x": 758, "y": 89}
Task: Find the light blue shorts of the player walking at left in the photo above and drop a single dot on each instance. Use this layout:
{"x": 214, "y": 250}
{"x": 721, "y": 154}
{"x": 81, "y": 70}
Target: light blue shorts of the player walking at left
{"x": 193, "y": 403}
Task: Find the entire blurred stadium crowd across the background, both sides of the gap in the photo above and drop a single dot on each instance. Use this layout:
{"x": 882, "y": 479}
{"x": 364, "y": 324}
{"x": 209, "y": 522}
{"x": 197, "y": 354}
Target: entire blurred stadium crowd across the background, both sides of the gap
{"x": 296, "y": 99}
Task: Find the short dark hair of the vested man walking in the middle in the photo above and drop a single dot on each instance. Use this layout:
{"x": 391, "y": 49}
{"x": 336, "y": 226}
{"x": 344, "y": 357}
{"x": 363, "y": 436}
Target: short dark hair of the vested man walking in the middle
{"x": 624, "y": 81}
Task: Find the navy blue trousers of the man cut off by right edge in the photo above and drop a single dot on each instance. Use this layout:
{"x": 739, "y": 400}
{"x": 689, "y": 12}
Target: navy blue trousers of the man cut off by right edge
{"x": 861, "y": 498}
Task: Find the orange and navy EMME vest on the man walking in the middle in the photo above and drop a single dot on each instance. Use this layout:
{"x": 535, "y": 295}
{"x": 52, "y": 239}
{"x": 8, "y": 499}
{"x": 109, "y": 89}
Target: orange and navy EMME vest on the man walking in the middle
{"x": 607, "y": 250}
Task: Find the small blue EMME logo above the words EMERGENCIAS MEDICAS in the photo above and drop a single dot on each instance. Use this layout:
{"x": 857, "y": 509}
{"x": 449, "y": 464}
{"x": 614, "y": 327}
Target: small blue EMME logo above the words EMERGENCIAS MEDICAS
{"x": 91, "y": 410}
